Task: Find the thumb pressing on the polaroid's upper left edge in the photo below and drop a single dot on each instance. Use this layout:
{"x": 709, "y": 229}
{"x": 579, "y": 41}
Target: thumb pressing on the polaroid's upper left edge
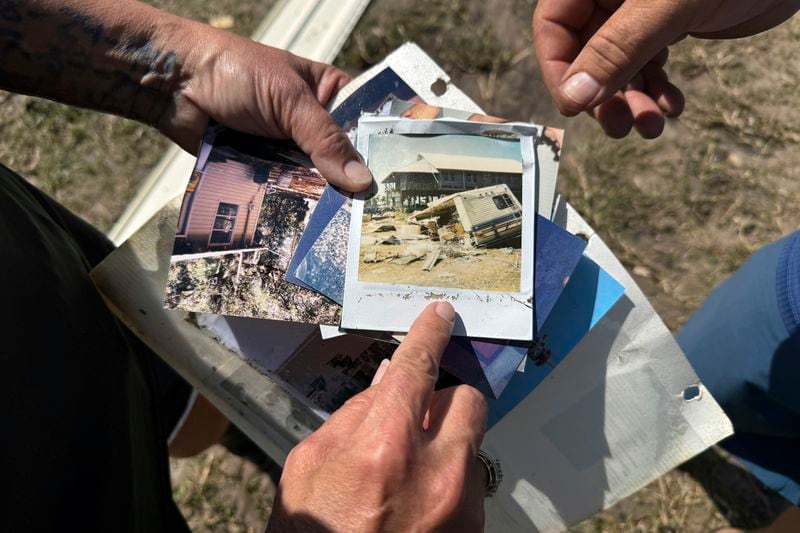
{"x": 318, "y": 135}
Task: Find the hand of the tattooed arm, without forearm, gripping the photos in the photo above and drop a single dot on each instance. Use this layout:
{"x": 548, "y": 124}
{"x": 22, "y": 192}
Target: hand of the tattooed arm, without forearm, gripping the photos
{"x": 265, "y": 91}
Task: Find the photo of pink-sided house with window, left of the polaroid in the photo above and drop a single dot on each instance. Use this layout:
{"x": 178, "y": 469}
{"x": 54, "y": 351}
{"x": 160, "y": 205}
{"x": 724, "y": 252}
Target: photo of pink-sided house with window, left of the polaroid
{"x": 242, "y": 215}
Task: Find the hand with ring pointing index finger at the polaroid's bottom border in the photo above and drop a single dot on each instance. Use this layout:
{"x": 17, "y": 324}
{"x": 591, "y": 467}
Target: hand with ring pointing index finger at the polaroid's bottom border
{"x": 398, "y": 456}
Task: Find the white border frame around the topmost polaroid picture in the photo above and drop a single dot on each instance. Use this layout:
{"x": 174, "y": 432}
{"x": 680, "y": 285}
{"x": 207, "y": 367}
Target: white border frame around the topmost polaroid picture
{"x": 484, "y": 314}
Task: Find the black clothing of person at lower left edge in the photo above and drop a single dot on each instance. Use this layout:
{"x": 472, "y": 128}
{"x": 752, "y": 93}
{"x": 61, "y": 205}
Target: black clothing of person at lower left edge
{"x": 85, "y": 408}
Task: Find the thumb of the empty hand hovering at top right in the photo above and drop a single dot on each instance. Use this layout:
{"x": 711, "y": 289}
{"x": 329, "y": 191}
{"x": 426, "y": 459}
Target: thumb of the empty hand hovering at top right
{"x": 623, "y": 45}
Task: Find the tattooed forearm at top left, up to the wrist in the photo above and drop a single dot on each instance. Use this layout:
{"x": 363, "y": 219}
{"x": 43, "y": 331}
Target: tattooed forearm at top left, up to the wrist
{"x": 117, "y": 56}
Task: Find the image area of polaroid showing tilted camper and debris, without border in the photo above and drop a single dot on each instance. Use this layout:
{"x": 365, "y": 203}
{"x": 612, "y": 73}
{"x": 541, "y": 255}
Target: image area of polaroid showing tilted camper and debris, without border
{"x": 447, "y": 213}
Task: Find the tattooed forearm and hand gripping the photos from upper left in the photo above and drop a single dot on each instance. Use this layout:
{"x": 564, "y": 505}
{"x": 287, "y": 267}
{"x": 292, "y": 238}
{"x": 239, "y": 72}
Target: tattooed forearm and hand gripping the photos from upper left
{"x": 131, "y": 59}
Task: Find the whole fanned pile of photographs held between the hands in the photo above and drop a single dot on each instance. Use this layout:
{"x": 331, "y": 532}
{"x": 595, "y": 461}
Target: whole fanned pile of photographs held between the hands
{"x": 461, "y": 209}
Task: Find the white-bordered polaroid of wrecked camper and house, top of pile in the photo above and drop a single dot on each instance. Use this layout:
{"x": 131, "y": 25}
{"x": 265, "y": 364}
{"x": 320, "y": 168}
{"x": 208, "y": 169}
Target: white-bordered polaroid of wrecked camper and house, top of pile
{"x": 444, "y": 223}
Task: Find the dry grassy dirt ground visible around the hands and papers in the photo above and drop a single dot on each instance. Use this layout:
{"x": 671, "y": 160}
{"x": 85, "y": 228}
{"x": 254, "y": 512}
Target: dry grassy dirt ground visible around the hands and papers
{"x": 681, "y": 212}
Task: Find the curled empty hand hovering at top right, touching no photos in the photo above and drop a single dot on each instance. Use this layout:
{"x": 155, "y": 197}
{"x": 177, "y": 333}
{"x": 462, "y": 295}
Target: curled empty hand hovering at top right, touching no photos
{"x": 608, "y": 56}
